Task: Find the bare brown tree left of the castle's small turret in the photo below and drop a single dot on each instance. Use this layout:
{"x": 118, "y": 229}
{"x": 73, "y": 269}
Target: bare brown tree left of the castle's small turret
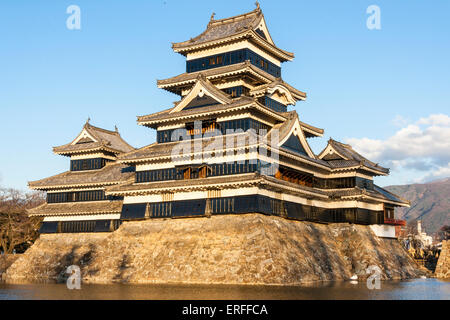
{"x": 17, "y": 230}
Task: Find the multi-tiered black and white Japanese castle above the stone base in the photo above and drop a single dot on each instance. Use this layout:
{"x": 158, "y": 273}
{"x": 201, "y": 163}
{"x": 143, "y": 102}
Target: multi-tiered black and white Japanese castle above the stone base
{"x": 231, "y": 144}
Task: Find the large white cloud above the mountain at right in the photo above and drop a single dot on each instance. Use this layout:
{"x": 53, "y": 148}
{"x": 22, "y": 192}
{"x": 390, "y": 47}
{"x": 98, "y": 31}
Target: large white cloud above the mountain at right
{"x": 421, "y": 146}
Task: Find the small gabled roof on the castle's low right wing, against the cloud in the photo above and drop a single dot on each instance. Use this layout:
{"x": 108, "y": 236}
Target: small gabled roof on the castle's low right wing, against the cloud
{"x": 340, "y": 155}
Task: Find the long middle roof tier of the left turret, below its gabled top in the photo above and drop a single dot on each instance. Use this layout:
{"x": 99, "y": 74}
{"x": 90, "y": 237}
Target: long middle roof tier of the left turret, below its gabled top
{"x": 112, "y": 173}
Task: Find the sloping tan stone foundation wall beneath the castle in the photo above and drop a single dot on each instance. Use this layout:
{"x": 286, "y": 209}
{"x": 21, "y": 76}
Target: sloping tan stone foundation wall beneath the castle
{"x": 229, "y": 249}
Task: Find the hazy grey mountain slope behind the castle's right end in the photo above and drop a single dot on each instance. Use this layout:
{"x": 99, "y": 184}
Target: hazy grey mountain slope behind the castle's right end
{"x": 430, "y": 202}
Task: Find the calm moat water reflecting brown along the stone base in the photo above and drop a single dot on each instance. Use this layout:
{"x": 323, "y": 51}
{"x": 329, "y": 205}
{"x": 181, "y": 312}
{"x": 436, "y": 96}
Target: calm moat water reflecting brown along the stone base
{"x": 418, "y": 289}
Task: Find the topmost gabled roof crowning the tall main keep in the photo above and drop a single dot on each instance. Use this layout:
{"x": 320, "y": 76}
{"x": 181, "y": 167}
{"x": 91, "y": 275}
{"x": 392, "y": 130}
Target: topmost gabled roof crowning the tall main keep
{"x": 249, "y": 25}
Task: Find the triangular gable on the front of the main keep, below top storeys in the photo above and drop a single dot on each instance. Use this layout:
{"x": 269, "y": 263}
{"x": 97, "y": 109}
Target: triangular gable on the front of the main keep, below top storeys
{"x": 203, "y": 90}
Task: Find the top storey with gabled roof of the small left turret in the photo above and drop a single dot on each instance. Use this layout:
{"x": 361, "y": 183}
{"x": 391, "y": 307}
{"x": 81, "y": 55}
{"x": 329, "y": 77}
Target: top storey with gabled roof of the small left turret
{"x": 93, "y": 148}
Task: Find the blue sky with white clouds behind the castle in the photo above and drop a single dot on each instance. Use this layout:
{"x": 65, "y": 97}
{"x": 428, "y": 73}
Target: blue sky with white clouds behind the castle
{"x": 385, "y": 91}
